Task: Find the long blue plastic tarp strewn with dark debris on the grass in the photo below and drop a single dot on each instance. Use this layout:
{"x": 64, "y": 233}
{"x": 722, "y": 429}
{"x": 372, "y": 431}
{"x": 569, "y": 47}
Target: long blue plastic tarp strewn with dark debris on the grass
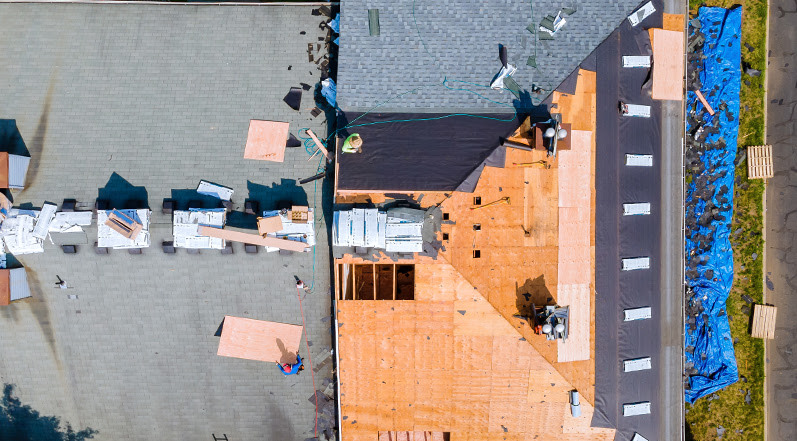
{"x": 711, "y": 279}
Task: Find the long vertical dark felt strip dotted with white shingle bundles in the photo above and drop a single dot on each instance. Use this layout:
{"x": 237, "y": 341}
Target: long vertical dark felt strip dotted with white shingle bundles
{"x": 619, "y": 236}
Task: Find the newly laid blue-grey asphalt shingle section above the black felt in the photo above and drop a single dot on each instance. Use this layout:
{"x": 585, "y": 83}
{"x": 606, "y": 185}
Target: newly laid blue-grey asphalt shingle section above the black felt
{"x": 421, "y": 42}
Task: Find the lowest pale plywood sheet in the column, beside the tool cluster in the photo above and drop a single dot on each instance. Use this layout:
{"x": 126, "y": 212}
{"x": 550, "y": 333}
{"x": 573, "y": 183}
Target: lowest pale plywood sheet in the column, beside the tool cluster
{"x": 577, "y": 345}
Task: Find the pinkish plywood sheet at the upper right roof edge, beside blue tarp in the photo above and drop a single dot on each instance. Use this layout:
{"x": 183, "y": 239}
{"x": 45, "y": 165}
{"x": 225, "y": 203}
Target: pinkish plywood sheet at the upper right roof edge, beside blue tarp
{"x": 668, "y": 65}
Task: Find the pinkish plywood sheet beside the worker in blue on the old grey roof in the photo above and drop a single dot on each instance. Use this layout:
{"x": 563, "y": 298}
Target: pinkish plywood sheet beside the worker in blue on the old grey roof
{"x": 259, "y": 340}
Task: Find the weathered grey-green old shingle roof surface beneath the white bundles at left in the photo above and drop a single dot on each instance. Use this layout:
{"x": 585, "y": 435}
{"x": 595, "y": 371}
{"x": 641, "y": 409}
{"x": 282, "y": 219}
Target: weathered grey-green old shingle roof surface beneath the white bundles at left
{"x": 151, "y": 99}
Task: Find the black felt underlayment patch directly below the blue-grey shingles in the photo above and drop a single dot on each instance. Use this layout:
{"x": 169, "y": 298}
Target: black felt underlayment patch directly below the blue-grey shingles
{"x": 434, "y": 155}
